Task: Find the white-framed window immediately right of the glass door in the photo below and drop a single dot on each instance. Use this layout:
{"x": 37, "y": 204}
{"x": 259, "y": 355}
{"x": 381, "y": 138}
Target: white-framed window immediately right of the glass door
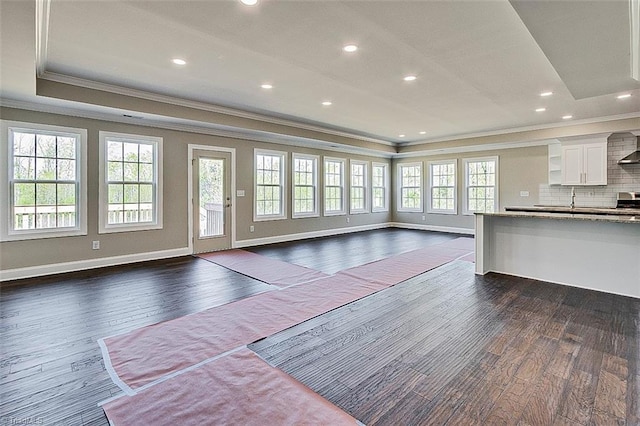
{"x": 270, "y": 182}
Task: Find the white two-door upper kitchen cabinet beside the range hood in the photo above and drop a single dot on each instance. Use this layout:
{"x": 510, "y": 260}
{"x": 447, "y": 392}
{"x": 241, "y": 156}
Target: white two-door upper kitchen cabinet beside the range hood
{"x": 584, "y": 162}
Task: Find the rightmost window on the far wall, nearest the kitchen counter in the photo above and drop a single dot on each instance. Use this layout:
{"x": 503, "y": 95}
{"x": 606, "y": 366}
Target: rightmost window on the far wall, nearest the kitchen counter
{"x": 481, "y": 181}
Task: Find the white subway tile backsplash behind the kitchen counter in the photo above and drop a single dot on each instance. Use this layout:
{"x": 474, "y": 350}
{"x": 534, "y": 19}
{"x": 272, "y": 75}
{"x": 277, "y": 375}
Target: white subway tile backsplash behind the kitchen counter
{"x": 619, "y": 179}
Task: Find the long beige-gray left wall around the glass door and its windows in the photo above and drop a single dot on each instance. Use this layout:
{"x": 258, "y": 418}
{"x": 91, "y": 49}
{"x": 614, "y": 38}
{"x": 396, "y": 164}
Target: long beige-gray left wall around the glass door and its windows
{"x": 175, "y": 233}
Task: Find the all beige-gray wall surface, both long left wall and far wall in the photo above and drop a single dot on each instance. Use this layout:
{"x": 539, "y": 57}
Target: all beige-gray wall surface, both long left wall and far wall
{"x": 521, "y": 169}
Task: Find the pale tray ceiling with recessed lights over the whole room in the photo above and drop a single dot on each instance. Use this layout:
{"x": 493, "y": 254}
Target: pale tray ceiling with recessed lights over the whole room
{"x": 480, "y": 66}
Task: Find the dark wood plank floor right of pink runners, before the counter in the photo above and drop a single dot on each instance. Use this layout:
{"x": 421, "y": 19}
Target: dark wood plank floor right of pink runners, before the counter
{"x": 451, "y": 348}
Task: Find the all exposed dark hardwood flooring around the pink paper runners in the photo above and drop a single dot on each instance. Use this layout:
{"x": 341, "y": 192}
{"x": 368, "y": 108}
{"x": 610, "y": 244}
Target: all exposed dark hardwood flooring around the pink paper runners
{"x": 446, "y": 347}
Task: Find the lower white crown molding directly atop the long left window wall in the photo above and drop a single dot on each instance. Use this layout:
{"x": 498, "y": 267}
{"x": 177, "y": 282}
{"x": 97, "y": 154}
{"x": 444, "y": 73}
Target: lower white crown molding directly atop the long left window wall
{"x": 196, "y": 127}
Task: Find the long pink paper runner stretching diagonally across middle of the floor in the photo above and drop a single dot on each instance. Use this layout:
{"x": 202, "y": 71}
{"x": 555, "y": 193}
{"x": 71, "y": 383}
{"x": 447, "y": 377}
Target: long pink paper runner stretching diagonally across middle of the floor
{"x": 142, "y": 356}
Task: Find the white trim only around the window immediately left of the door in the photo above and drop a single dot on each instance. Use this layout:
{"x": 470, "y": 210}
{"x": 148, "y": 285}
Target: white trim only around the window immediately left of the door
{"x": 103, "y": 226}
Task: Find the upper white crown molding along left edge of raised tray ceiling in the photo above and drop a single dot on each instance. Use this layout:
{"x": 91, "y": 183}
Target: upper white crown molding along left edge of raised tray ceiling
{"x": 89, "y": 84}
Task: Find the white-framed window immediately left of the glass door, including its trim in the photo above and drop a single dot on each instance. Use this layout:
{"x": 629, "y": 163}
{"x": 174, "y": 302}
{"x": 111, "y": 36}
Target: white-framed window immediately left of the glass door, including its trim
{"x": 130, "y": 182}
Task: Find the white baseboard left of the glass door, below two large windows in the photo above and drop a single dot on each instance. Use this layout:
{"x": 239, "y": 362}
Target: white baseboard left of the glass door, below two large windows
{"x": 58, "y": 268}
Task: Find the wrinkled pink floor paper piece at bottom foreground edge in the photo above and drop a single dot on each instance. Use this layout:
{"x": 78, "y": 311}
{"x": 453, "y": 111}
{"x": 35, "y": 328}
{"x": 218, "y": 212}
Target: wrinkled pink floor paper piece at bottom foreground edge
{"x": 238, "y": 389}
